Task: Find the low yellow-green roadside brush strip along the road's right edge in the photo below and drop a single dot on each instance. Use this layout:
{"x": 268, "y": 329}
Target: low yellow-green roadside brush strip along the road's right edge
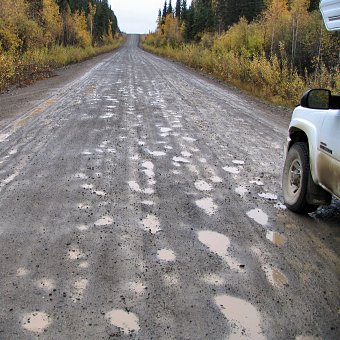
{"x": 267, "y": 79}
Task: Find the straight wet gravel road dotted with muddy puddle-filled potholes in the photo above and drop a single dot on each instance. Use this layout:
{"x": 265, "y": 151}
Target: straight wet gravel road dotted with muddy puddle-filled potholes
{"x": 142, "y": 200}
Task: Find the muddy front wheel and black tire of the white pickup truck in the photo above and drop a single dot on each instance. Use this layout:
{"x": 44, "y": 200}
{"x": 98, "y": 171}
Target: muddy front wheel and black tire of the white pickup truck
{"x": 296, "y": 174}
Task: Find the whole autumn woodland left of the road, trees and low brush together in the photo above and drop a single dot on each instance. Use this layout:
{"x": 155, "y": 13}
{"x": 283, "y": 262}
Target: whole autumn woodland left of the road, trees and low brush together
{"x": 38, "y": 35}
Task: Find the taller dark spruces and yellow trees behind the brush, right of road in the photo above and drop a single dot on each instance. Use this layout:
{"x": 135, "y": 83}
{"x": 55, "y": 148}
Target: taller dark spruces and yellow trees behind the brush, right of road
{"x": 292, "y": 26}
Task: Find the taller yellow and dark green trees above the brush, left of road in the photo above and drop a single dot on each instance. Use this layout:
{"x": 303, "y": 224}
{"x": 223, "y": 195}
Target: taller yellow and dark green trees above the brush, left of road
{"x": 42, "y": 23}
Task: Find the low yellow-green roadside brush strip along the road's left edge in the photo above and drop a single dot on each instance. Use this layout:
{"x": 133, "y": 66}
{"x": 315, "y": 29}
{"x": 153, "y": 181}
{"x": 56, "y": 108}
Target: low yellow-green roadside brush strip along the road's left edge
{"x": 39, "y": 64}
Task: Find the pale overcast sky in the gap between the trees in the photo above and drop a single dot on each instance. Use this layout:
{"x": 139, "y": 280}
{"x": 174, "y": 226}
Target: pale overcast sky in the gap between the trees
{"x": 138, "y": 16}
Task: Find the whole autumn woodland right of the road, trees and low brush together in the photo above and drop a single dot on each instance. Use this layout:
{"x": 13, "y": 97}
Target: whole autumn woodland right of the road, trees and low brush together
{"x": 275, "y": 49}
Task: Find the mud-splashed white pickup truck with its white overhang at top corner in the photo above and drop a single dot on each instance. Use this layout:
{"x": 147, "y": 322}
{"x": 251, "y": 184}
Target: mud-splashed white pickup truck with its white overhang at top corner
{"x": 311, "y": 173}
